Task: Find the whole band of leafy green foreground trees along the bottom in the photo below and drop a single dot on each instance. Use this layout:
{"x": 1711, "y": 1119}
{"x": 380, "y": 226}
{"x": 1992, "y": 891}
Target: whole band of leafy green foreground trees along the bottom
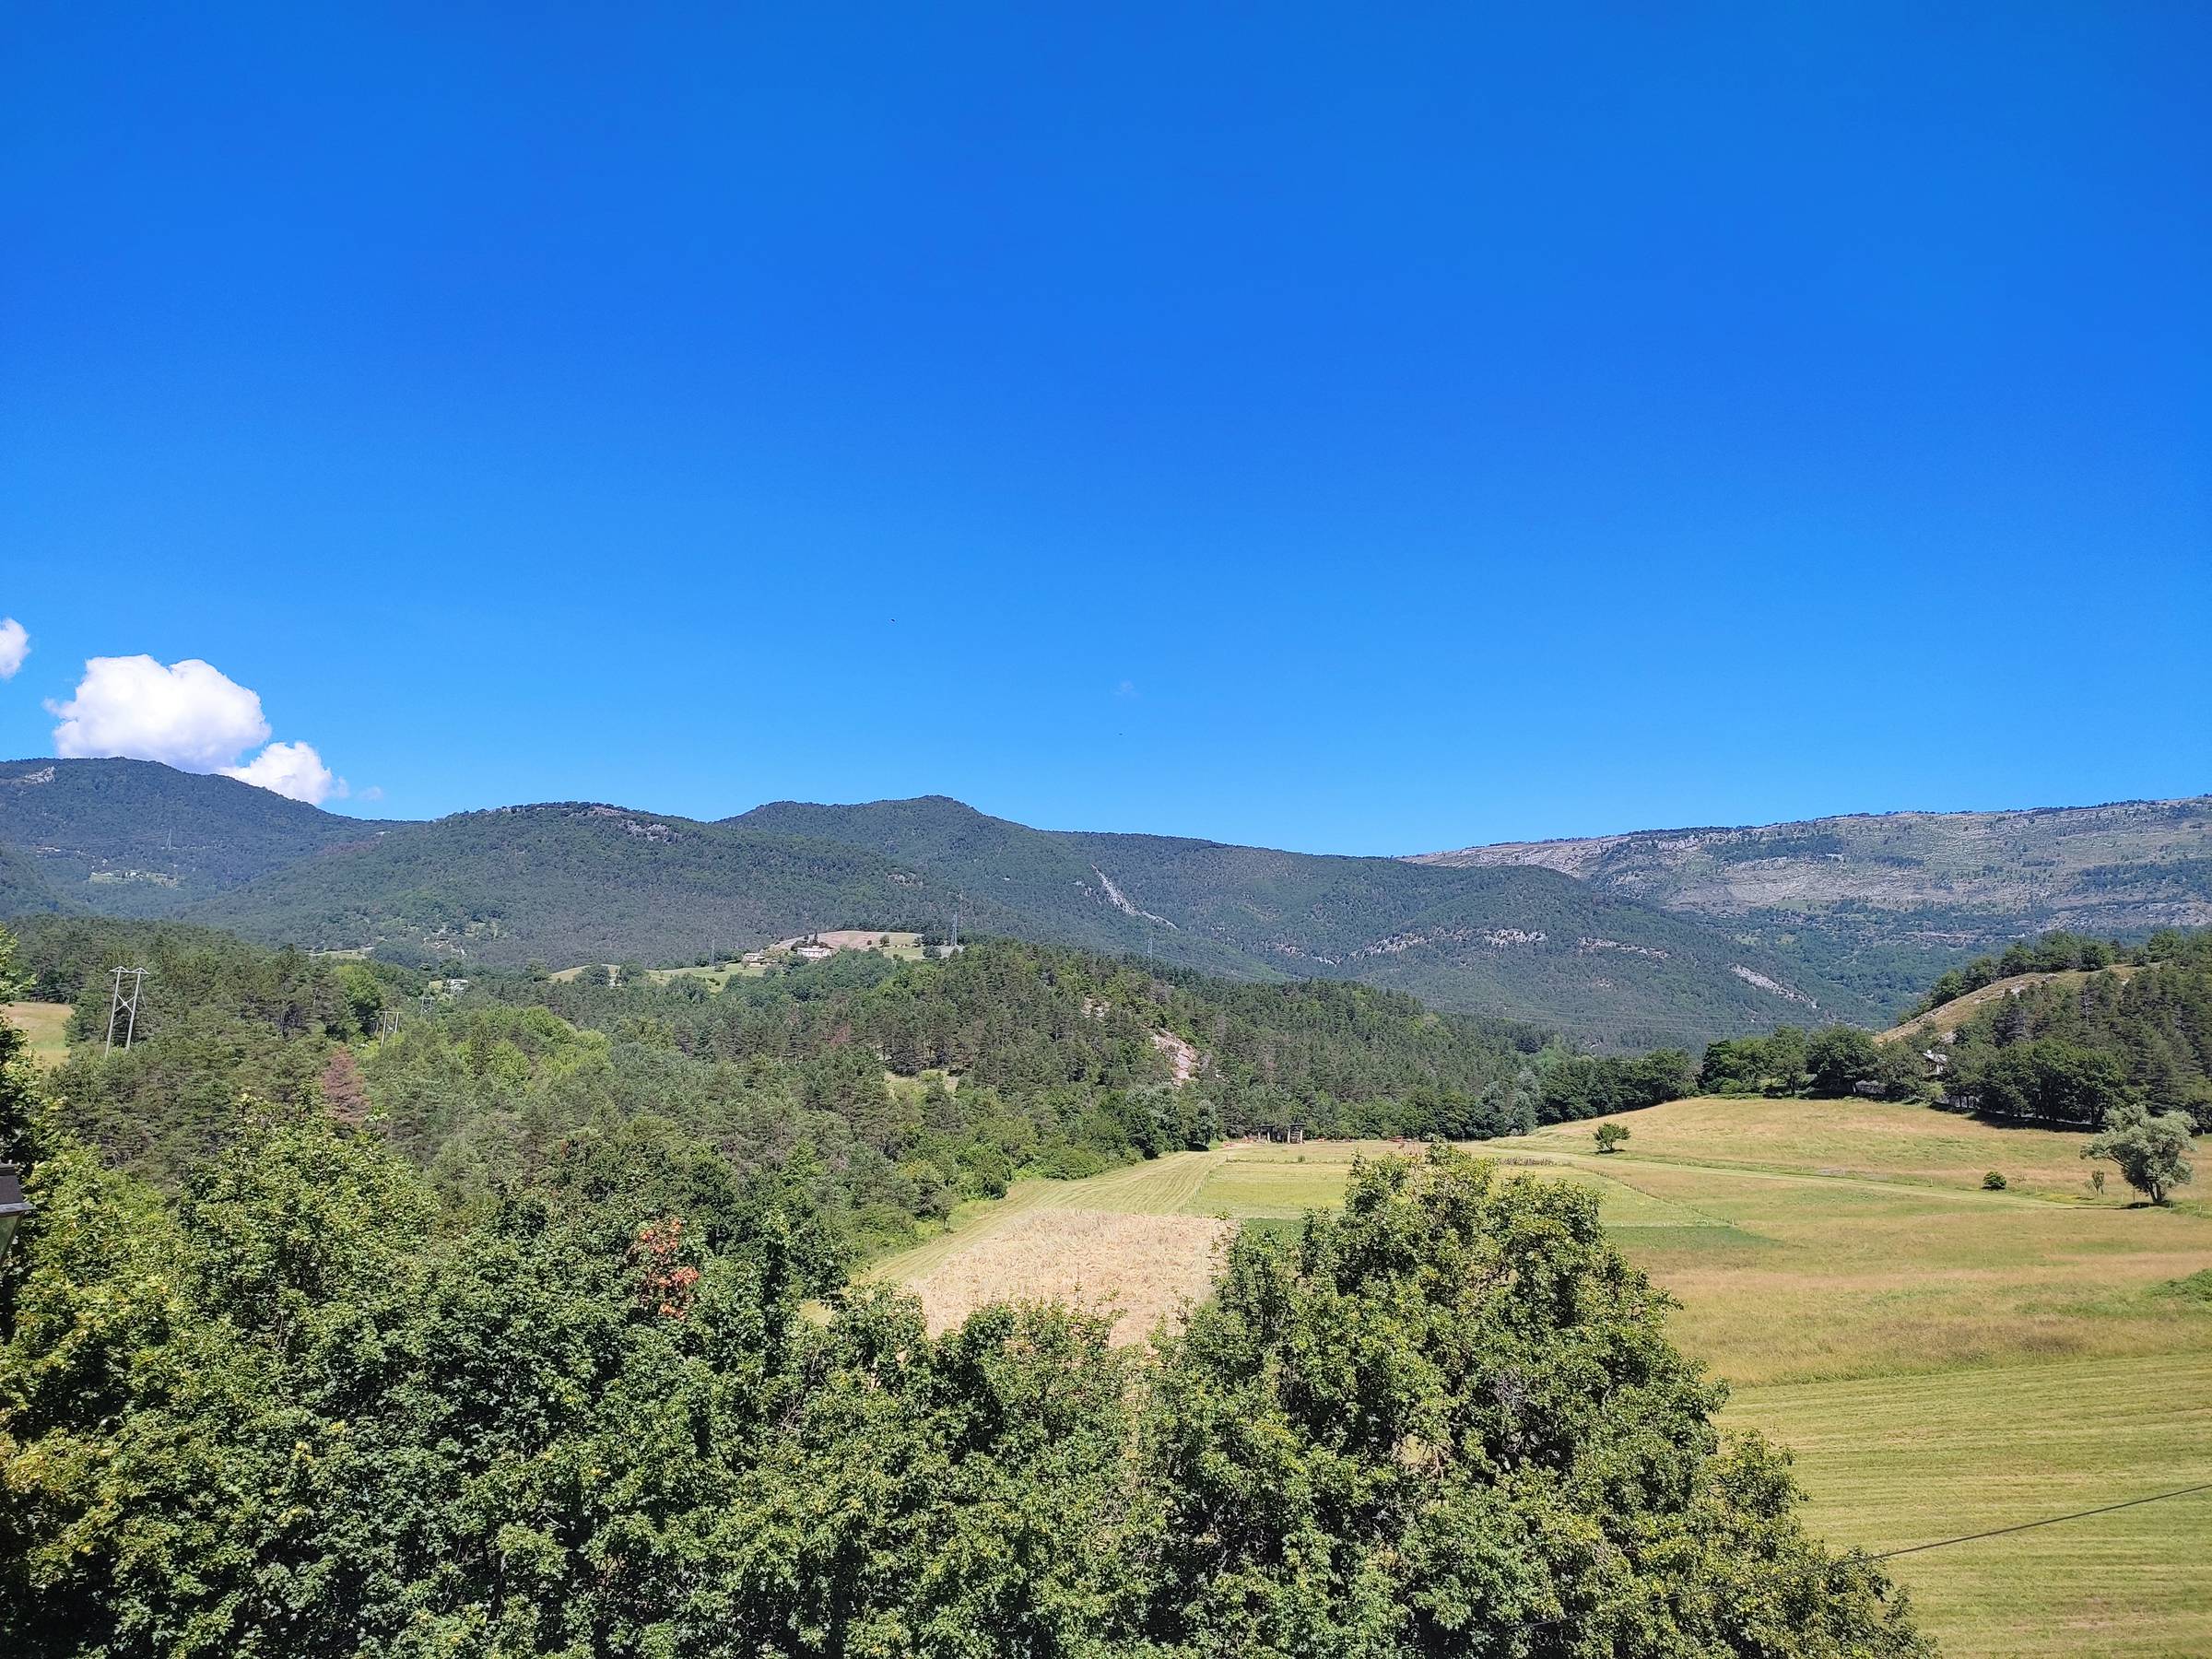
{"x": 302, "y": 1408}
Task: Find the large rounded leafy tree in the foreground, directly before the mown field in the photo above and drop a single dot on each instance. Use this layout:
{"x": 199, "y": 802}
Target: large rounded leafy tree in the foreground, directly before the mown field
{"x": 1448, "y": 1421}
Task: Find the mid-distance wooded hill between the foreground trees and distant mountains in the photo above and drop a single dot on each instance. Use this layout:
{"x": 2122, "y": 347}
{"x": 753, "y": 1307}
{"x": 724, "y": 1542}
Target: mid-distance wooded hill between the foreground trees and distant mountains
{"x": 901, "y": 1087}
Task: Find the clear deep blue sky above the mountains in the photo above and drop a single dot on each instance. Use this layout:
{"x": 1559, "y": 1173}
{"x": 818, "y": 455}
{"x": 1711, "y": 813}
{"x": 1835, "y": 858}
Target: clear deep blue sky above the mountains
{"x": 1324, "y": 428}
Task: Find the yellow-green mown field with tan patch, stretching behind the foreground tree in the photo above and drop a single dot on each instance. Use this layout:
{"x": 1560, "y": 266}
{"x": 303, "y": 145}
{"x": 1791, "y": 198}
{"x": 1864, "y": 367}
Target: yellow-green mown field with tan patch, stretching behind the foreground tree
{"x": 1941, "y": 1359}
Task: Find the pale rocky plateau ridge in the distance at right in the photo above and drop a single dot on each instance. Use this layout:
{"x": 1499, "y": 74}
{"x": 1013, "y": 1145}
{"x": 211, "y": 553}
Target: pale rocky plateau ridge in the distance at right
{"x": 1886, "y": 904}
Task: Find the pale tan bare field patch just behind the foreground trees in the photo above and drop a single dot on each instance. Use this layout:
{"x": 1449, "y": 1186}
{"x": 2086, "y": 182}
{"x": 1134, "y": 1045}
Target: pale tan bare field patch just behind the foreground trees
{"x": 1136, "y": 1266}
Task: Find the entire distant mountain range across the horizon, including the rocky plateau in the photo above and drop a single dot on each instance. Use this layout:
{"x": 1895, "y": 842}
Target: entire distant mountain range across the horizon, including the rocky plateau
{"x": 1631, "y": 943}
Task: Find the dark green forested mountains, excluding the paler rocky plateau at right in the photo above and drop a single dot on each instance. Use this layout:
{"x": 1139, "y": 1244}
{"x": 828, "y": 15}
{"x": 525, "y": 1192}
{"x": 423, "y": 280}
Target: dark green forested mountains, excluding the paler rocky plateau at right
{"x": 592, "y": 884}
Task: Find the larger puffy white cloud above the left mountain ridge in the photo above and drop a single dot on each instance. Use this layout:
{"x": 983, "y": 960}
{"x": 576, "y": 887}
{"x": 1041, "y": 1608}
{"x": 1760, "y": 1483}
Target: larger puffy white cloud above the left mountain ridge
{"x": 189, "y": 716}
